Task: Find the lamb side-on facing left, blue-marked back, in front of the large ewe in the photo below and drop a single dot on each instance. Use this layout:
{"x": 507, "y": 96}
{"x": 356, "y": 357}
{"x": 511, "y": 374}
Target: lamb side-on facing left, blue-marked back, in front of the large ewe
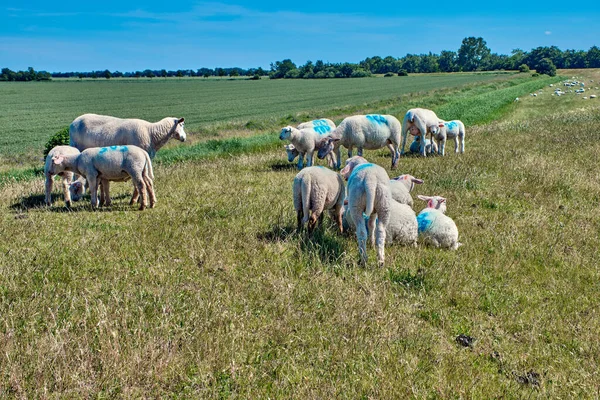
{"x": 114, "y": 163}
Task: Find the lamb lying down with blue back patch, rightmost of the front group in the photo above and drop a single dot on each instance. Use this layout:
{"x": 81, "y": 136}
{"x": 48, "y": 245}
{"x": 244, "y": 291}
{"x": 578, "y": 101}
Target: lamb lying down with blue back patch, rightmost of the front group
{"x": 436, "y": 228}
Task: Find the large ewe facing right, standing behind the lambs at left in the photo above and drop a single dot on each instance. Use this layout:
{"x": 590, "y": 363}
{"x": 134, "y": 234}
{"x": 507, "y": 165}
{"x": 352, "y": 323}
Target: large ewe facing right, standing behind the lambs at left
{"x": 92, "y": 130}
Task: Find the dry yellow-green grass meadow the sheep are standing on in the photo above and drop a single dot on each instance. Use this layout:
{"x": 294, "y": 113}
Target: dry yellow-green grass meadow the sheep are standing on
{"x": 213, "y": 294}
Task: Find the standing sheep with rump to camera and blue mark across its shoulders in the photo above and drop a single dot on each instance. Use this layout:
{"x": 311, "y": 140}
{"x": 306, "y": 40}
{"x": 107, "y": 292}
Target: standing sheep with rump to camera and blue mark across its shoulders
{"x": 368, "y": 193}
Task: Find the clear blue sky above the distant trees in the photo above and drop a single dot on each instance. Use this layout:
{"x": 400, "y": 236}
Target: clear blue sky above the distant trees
{"x": 129, "y": 36}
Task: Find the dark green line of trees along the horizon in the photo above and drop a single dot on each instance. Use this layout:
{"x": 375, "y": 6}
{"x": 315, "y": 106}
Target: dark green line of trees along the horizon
{"x": 473, "y": 55}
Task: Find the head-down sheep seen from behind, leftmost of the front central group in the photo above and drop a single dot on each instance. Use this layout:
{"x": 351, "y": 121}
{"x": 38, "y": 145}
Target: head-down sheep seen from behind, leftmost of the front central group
{"x": 316, "y": 189}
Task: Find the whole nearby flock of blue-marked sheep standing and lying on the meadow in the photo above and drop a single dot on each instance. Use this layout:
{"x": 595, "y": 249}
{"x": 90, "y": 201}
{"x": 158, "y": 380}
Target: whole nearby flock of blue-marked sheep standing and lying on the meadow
{"x": 104, "y": 149}
